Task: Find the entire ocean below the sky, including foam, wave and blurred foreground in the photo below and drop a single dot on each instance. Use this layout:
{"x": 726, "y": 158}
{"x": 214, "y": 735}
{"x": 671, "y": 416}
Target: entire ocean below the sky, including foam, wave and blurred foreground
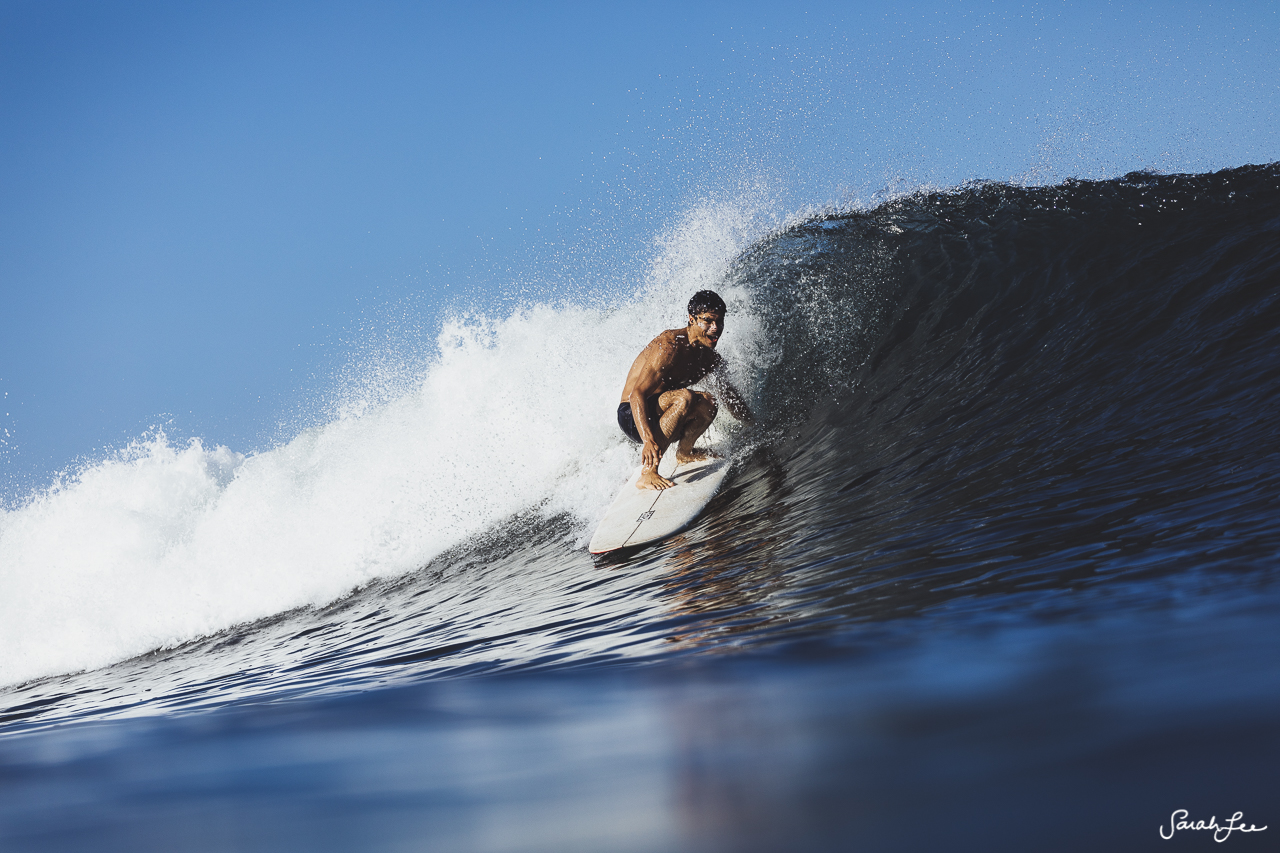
{"x": 996, "y": 571}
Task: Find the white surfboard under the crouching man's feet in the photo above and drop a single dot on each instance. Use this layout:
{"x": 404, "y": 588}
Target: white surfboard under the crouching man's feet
{"x": 638, "y": 517}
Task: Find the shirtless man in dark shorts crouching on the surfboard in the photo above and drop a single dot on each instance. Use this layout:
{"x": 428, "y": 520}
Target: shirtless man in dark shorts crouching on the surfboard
{"x": 657, "y": 405}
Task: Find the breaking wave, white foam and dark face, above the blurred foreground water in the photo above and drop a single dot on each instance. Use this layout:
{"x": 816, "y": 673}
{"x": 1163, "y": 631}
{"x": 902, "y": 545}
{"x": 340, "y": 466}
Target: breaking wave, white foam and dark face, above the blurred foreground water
{"x": 981, "y": 407}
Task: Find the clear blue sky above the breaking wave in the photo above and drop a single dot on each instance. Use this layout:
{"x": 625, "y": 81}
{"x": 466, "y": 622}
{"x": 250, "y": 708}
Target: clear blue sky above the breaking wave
{"x": 204, "y": 206}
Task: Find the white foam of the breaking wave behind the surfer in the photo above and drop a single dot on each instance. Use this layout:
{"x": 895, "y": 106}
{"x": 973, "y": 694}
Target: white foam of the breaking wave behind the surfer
{"x": 162, "y": 544}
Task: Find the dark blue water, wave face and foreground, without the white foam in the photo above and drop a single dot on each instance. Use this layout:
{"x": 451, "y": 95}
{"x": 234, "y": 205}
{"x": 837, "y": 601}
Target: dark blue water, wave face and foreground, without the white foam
{"x": 998, "y": 573}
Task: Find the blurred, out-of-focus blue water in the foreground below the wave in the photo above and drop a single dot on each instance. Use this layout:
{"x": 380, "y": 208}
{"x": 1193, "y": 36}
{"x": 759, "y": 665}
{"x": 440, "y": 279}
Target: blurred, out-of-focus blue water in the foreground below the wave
{"x": 1003, "y": 741}
